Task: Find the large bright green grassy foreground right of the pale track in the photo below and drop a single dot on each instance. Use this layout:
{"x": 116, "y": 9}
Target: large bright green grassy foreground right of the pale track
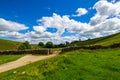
{"x": 75, "y": 65}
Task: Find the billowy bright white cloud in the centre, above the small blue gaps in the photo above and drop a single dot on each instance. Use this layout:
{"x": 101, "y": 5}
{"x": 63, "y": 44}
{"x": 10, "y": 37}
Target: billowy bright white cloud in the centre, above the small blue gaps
{"x": 63, "y": 22}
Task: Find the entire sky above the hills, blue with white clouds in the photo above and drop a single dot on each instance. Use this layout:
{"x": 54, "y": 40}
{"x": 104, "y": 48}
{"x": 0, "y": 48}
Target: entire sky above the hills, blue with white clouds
{"x": 57, "y": 21}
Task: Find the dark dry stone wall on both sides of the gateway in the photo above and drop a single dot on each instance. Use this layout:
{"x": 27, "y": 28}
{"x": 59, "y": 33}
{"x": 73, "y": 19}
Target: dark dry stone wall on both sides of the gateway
{"x": 66, "y": 49}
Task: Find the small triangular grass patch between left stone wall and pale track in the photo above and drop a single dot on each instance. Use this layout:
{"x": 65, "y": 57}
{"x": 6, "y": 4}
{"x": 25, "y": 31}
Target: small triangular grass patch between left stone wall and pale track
{"x": 8, "y": 58}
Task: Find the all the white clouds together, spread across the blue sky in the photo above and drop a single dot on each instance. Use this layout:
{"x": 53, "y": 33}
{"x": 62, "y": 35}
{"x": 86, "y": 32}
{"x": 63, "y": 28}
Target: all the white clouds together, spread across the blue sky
{"x": 105, "y": 21}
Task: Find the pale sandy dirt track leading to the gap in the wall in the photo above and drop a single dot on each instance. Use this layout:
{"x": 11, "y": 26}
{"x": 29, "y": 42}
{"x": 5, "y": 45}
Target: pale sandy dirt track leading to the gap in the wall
{"x": 23, "y": 61}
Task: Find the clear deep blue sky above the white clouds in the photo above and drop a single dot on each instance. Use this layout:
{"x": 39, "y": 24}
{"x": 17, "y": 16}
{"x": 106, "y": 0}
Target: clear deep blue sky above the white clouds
{"x": 28, "y": 11}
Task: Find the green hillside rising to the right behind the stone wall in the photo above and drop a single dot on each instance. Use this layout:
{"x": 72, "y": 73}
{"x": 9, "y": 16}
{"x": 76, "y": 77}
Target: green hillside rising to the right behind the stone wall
{"x": 107, "y": 40}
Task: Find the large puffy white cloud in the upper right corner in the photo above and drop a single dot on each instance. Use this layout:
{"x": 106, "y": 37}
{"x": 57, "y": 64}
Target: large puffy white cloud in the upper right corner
{"x": 104, "y": 10}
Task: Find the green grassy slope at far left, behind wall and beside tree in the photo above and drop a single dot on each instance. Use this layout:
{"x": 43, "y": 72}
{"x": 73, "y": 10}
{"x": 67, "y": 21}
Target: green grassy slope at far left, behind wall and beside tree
{"x": 8, "y": 45}
